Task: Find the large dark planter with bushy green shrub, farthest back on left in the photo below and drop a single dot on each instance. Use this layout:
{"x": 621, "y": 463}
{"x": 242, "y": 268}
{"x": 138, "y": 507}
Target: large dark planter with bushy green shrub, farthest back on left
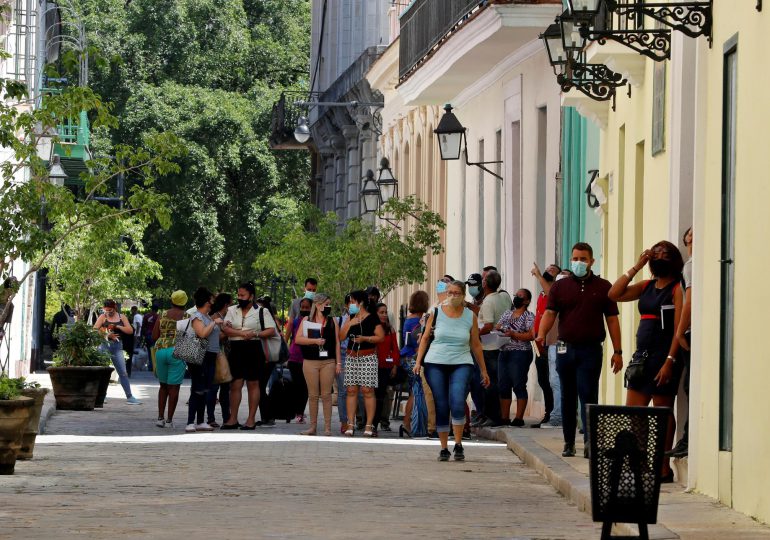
{"x": 78, "y": 367}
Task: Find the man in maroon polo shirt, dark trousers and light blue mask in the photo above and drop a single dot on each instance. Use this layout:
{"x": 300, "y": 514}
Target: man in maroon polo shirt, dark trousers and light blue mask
{"x": 582, "y": 306}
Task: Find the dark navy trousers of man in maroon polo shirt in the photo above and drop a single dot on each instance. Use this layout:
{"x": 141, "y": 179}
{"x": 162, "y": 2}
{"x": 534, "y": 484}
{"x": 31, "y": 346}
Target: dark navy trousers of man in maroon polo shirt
{"x": 579, "y": 369}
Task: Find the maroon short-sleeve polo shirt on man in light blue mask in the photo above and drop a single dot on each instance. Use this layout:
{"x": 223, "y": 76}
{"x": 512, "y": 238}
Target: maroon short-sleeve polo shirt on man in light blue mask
{"x": 582, "y": 305}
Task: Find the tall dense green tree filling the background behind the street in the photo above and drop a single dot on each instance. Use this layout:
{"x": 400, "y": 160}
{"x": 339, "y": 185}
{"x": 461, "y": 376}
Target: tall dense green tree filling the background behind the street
{"x": 207, "y": 71}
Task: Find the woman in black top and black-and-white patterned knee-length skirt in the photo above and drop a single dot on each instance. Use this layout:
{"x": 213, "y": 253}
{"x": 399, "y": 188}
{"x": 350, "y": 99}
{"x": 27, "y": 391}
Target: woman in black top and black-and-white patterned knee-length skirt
{"x": 364, "y": 331}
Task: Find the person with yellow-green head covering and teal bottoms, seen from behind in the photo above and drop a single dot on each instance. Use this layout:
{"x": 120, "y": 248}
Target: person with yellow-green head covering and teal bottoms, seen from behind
{"x": 169, "y": 369}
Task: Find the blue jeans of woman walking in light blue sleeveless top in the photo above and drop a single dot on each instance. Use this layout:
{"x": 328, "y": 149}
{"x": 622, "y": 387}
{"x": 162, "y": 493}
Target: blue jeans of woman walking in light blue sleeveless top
{"x": 449, "y": 384}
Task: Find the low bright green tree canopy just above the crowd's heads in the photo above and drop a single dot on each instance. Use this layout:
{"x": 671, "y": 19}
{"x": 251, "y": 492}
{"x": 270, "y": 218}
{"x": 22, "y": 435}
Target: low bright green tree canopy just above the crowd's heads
{"x": 360, "y": 254}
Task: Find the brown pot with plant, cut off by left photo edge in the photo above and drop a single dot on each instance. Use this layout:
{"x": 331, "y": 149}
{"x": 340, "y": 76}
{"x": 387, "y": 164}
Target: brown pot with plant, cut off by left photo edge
{"x": 14, "y": 416}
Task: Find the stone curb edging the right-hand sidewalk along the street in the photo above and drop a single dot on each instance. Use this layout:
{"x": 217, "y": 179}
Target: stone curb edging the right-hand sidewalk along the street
{"x": 573, "y": 485}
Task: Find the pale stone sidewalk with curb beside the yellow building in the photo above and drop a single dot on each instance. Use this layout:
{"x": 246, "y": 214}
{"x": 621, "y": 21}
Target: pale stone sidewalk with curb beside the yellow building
{"x": 680, "y": 514}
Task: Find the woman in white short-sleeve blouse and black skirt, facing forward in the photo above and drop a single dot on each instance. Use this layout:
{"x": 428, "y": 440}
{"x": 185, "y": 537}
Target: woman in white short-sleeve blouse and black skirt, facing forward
{"x": 247, "y": 358}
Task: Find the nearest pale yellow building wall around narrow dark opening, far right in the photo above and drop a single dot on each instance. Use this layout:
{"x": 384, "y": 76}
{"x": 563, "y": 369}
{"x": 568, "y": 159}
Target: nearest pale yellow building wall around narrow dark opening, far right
{"x": 738, "y": 478}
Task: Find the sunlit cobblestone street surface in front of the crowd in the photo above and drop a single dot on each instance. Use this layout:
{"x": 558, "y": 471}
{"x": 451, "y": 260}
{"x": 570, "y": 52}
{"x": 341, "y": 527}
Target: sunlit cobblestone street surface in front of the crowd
{"x": 112, "y": 473}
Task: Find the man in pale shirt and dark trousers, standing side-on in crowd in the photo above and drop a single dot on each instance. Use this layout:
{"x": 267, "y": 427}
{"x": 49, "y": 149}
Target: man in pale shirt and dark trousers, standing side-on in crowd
{"x": 494, "y": 304}
